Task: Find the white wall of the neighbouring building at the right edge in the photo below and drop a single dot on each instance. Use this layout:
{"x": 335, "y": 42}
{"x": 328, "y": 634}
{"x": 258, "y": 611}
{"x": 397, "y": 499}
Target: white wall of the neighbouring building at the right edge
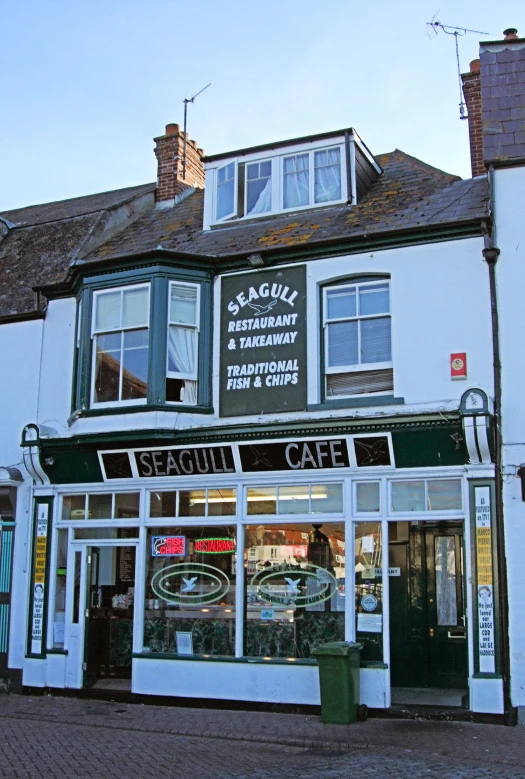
{"x": 509, "y": 198}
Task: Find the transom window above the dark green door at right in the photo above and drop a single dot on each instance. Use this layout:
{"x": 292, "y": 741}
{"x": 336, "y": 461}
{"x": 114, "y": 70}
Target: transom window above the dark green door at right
{"x": 426, "y": 495}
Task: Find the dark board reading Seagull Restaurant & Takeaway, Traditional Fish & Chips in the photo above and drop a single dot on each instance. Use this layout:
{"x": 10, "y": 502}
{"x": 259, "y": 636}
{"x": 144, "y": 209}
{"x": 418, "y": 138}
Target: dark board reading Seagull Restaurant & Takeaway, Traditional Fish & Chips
{"x": 263, "y": 342}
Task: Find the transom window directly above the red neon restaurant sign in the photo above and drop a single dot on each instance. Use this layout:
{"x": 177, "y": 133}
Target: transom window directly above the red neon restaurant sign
{"x": 192, "y": 503}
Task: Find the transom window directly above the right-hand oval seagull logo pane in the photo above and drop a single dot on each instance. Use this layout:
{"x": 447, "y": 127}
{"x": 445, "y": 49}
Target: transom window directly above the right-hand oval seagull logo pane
{"x": 305, "y": 499}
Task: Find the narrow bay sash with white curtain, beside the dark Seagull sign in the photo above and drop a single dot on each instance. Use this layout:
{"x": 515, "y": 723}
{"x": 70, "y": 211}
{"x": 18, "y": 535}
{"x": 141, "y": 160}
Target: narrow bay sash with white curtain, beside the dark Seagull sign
{"x": 183, "y": 343}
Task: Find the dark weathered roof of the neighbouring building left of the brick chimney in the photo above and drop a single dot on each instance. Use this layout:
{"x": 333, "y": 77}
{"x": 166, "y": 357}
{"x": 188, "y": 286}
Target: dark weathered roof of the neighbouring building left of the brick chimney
{"x": 44, "y": 241}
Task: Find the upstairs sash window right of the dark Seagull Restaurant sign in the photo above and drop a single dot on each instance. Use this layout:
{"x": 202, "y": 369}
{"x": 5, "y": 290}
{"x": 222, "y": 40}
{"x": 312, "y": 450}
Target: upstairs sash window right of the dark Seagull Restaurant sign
{"x": 357, "y": 339}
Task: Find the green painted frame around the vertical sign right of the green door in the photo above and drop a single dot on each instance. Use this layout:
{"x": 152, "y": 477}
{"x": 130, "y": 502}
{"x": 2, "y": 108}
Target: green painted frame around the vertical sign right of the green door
{"x": 475, "y": 623}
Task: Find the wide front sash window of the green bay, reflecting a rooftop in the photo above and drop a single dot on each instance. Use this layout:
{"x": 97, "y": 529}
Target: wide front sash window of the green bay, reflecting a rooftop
{"x": 120, "y": 344}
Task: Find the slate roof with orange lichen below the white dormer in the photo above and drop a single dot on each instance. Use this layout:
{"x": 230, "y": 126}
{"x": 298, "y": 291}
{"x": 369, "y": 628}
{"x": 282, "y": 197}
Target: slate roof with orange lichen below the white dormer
{"x": 409, "y": 194}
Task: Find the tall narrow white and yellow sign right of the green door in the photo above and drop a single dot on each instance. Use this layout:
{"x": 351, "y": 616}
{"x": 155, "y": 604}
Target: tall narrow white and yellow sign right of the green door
{"x": 484, "y": 583}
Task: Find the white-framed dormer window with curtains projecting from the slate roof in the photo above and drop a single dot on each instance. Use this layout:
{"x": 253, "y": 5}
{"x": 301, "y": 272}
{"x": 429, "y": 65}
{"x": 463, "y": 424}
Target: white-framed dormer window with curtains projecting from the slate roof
{"x": 323, "y": 170}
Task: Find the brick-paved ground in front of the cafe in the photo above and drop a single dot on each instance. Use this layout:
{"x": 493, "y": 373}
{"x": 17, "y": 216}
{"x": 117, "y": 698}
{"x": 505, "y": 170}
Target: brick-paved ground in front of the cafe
{"x": 68, "y": 737}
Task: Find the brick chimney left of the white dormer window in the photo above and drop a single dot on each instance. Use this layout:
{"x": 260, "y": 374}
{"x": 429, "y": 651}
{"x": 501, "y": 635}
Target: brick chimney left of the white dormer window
{"x": 169, "y": 150}
